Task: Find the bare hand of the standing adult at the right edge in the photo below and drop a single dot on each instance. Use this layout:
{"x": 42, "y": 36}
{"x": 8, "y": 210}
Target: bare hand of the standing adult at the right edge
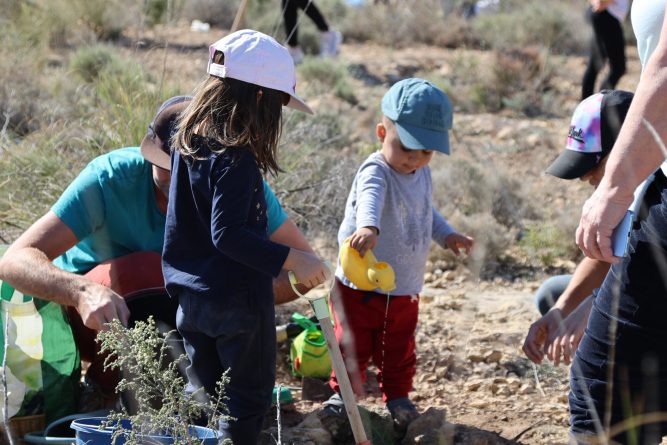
{"x": 600, "y": 215}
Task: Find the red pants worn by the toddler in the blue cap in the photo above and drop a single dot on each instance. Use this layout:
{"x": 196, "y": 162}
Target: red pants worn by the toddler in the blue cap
{"x": 359, "y": 323}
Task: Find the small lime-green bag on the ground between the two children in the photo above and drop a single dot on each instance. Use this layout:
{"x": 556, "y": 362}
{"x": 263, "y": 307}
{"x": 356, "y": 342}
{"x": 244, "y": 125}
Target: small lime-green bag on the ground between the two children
{"x": 309, "y": 355}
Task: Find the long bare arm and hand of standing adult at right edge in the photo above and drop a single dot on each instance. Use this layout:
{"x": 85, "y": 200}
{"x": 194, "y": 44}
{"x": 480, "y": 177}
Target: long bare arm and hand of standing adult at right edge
{"x": 635, "y": 156}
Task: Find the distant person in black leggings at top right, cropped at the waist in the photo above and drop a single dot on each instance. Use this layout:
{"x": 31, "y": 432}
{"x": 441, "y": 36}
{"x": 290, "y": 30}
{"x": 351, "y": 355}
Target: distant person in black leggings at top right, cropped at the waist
{"x": 607, "y": 43}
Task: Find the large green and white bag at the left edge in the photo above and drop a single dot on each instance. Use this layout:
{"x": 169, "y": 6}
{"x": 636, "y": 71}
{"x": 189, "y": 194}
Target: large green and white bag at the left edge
{"x": 43, "y": 367}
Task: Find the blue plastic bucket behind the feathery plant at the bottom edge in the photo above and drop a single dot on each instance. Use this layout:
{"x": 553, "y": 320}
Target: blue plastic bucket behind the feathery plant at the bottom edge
{"x": 88, "y": 432}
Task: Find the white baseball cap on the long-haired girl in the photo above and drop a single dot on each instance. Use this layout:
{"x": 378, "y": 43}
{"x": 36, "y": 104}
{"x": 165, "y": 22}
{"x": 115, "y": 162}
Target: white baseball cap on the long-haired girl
{"x": 254, "y": 57}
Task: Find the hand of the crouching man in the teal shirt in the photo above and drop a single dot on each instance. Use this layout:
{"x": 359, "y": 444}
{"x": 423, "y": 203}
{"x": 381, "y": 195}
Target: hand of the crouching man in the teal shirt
{"x": 98, "y": 305}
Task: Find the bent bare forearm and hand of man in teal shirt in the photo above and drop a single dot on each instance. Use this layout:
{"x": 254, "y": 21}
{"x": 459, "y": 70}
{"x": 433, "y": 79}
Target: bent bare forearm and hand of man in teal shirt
{"x": 27, "y": 266}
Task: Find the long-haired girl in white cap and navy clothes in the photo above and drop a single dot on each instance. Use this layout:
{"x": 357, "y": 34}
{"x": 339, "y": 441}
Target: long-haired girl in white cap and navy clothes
{"x": 217, "y": 258}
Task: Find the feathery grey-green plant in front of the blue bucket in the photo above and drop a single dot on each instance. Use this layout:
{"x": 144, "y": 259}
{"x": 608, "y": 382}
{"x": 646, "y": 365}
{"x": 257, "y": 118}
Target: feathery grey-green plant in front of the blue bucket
{"x": 163, "y": 407}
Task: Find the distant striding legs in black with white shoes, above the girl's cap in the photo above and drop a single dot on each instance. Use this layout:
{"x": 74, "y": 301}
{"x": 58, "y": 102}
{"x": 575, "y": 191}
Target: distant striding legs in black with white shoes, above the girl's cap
{"x": 329, "y": 39}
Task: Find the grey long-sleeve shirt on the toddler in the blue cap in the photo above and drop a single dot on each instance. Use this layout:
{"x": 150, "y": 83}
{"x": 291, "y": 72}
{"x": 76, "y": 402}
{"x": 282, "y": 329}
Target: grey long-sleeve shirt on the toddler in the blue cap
{"x": 400, "y": 206}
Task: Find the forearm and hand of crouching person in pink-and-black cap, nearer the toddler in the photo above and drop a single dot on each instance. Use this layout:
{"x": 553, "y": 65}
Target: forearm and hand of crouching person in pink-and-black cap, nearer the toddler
{"x": 544, "y": 333}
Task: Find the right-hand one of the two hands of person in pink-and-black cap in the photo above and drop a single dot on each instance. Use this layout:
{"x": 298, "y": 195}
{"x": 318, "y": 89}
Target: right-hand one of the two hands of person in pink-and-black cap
{"x": 566, "y": 341}
